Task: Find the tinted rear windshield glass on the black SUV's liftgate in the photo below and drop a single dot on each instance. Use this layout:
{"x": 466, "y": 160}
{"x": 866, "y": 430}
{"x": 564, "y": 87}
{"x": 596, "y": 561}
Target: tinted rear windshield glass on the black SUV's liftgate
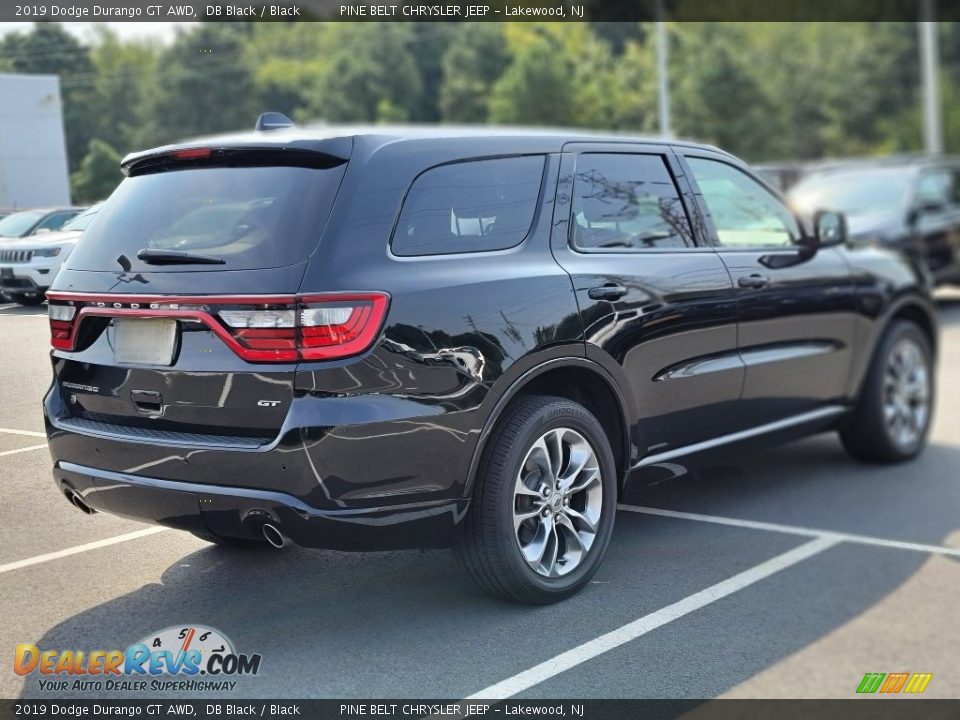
{"x": 248, "y": 217}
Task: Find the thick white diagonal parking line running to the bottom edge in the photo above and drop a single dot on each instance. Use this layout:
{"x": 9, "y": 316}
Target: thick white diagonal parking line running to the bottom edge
{"x": 631, "y": 631}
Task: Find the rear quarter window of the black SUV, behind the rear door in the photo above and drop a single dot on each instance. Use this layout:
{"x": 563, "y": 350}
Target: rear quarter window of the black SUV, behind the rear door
{"x": 470, "y": 207}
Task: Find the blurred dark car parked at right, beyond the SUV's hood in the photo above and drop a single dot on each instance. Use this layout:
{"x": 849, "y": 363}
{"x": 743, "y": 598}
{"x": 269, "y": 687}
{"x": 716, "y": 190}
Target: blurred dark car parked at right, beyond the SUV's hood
{"x": 908, "y": 203}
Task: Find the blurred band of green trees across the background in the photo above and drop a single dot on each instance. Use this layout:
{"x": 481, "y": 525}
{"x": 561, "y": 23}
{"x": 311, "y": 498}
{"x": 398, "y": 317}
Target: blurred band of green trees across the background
{"x": 766, "y": 91}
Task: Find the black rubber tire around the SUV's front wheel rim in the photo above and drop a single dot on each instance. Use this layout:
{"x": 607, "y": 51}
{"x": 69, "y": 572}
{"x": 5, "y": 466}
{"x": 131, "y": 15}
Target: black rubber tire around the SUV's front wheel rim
{"x": 867, "y": 435}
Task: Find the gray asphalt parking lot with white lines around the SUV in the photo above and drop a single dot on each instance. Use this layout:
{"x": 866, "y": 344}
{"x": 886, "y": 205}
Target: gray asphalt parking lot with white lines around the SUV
{"x": 789, "y": 574}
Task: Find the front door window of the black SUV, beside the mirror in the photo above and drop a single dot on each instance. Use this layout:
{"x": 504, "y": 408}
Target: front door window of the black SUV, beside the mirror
{"x": 745, "y": 214}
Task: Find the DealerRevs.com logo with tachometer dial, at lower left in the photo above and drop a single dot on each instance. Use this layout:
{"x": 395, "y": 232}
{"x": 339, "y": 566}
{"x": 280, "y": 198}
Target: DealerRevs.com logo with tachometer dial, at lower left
{"x": 184, "y": 658}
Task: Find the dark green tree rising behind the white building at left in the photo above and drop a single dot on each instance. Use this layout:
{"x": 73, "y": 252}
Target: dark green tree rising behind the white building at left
{"x": 48, "y": 49}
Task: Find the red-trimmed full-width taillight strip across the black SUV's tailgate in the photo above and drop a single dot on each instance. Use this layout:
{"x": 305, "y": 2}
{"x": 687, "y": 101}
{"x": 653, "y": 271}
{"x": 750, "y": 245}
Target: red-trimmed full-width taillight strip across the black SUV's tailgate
{"x": 313, "y": 327}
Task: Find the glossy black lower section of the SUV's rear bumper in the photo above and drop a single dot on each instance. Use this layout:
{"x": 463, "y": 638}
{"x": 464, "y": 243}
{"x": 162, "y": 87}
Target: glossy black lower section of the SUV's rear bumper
{"x": 241, "y": 512}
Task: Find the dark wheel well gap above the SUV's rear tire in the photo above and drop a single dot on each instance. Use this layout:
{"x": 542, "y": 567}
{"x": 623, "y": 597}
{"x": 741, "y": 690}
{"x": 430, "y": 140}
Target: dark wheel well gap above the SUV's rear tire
{"x": 588, "y": 388}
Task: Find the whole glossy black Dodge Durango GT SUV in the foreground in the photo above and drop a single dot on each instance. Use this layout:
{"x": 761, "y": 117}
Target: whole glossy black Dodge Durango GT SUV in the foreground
{"x": 420, "y": 338}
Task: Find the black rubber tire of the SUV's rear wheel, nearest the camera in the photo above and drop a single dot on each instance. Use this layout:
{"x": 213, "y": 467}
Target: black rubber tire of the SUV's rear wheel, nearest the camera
{"x": 488, "y": 546}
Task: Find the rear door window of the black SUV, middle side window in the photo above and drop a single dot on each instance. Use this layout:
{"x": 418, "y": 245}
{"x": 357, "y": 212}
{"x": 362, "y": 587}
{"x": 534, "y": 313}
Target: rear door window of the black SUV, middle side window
{"x": 625, "y": 202}
